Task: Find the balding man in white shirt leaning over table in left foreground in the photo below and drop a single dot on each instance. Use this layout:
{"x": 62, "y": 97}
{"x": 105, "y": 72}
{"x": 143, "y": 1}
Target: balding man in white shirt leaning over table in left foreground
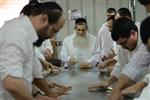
{"x": 19, "y": 67}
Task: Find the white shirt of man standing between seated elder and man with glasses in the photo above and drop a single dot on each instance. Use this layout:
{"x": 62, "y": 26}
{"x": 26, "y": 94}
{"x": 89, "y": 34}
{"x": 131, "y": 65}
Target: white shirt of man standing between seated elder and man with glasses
{"x": 103, "y": 45}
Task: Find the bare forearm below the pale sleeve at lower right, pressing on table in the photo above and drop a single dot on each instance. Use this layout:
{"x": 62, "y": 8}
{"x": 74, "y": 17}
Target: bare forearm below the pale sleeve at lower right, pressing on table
{"x": 122, "y": 83}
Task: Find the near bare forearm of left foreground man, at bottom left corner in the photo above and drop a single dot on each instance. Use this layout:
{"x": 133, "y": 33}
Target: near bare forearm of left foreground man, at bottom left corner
{"x": 17, "y": 88}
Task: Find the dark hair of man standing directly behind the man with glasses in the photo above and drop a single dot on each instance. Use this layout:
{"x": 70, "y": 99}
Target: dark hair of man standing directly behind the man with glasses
{"x": 124, "y": 12}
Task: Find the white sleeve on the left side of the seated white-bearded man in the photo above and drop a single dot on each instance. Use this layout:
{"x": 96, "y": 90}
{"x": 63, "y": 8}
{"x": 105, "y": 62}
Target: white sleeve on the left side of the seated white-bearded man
{"x": 64, "y": 52}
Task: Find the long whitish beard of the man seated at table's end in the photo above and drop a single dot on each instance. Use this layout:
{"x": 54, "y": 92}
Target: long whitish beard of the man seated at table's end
{"x": 81, "y": 42}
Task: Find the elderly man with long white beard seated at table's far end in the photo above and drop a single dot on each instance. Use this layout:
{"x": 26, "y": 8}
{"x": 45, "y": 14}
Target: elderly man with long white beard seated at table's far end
{"x": 77, "y": 48}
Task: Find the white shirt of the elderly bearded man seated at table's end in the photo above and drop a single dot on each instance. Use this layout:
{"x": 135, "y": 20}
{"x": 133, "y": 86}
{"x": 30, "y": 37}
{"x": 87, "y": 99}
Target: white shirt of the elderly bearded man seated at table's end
{"x": 69, "y": 51}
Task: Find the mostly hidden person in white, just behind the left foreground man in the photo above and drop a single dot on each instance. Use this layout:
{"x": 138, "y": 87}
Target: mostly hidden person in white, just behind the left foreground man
{"x": 45, "y": 53}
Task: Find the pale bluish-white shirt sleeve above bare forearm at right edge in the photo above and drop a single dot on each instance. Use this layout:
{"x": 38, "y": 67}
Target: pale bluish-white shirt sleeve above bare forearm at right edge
{"x": 137, "y": 64}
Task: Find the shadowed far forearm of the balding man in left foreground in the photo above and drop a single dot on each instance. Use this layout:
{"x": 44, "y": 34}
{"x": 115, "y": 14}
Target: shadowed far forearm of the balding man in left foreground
{"x": 42, "y": 84}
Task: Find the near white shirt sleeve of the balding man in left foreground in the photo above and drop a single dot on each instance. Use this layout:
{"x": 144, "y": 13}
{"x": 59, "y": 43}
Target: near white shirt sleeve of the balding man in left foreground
{"x": 13, "y": 55}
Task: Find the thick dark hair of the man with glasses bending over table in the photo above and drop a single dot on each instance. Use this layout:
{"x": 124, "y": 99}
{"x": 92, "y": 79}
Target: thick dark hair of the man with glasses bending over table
{"x": 122, "y": 28}
